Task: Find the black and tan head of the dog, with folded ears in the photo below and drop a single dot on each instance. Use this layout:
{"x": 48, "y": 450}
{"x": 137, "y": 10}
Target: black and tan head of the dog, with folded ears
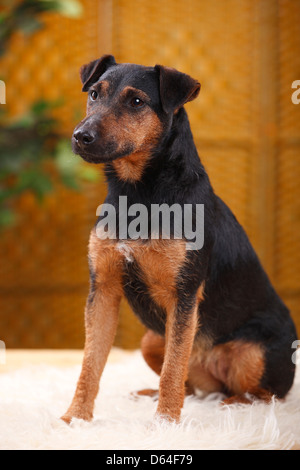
{"x": 129, "y": 108}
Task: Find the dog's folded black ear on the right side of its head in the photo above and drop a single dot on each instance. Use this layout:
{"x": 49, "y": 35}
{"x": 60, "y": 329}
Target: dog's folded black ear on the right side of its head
{"x": 176, "y": 88}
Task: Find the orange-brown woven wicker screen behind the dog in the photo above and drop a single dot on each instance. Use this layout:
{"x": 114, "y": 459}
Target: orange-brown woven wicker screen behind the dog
{"x": 246, "y": 54}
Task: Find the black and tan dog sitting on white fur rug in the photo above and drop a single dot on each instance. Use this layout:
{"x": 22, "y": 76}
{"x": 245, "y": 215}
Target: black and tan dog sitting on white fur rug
{"x": 214, "y": 321}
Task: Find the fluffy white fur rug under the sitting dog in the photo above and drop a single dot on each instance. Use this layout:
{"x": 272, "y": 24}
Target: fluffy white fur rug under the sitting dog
{"x": 33, "y": 398}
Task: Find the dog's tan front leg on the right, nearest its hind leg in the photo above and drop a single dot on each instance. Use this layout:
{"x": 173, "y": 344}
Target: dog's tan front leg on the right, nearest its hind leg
{"x": 180, "y": 333}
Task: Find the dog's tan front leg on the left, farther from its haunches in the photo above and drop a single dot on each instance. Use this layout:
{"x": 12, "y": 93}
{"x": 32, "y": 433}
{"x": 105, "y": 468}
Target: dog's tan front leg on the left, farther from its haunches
{"x": 101, "y": 317}
